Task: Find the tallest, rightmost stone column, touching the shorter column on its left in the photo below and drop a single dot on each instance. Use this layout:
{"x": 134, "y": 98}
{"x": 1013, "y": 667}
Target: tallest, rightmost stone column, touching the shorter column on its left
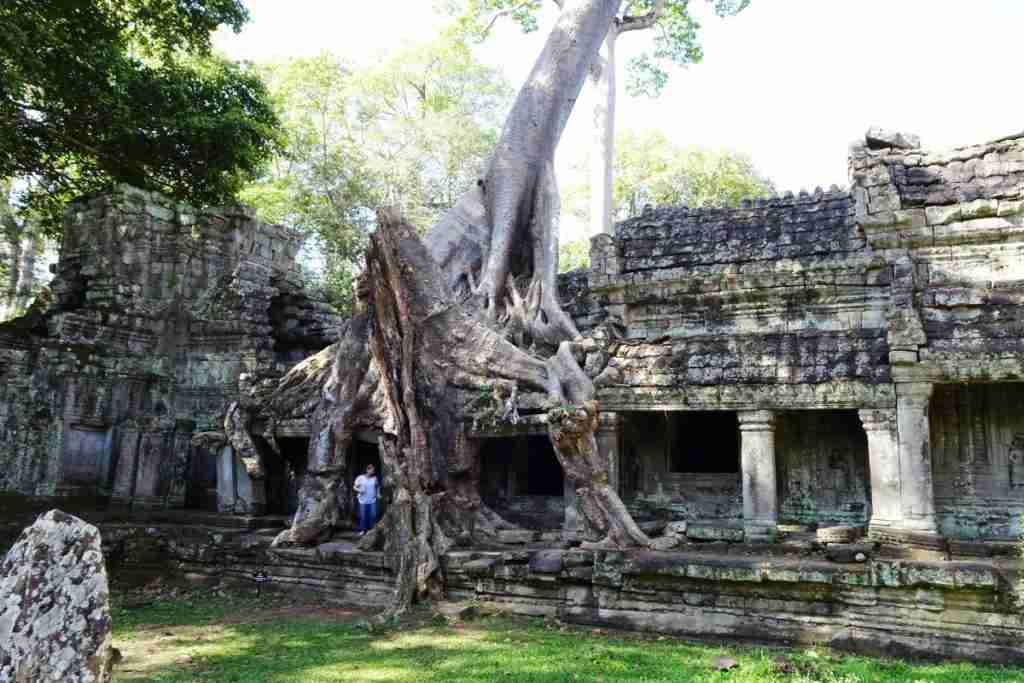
{"x": 918, "y": 504}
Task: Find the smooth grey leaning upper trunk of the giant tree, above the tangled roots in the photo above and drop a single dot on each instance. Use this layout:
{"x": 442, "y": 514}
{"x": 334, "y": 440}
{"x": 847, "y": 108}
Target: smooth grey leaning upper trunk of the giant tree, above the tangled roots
{"x": 508, "y": 225}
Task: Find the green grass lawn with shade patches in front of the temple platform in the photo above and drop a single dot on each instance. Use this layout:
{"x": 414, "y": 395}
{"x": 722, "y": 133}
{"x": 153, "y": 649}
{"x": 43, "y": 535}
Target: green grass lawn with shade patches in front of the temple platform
{"x": 311, "y": 650}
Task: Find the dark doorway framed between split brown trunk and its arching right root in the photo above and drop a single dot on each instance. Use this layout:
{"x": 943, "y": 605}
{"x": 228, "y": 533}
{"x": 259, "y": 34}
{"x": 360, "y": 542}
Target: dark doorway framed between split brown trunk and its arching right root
{"x": 523, "y": 481}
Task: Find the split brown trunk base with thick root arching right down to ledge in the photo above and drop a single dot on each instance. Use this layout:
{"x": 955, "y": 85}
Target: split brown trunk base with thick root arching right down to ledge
{"x": 429, "y": 350}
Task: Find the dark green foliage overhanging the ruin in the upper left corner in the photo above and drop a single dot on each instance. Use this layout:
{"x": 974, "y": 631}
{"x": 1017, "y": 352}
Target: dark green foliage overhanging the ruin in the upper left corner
{"x": 98, "y": 94}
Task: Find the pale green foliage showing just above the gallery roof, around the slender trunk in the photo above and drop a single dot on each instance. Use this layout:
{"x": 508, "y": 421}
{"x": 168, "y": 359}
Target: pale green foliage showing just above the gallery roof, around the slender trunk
{"x": 652, "y": 169}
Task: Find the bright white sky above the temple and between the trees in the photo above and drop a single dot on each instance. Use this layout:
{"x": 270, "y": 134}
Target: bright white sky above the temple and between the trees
{"x": 789, "y": 82}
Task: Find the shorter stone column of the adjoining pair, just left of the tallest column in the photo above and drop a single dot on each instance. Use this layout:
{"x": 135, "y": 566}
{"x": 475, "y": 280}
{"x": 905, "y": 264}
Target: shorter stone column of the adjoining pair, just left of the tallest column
{"x": 883, "y": 457}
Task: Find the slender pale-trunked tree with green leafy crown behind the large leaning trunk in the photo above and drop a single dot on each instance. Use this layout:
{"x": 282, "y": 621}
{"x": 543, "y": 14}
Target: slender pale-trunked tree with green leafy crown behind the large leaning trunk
{"x": 674, "y": 41}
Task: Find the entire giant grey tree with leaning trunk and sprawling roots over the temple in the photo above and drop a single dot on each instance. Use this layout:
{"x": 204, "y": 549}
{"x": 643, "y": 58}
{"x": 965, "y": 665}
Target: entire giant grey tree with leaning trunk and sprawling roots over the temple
{"x": 432, "y": 347}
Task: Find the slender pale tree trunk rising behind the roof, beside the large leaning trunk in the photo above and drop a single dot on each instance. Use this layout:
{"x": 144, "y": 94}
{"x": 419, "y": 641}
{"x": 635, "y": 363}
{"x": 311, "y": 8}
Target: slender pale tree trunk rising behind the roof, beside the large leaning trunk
{"x": 604, "y": 152}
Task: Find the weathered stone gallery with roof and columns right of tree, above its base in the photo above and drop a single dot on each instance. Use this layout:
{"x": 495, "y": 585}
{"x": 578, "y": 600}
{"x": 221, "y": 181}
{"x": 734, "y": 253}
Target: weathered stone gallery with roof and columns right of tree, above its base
{"x": 863, "y": 301}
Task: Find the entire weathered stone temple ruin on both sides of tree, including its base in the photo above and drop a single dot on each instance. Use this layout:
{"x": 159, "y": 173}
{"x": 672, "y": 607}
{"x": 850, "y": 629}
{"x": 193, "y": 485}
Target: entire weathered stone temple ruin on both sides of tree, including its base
{"x": 821, "y": 397}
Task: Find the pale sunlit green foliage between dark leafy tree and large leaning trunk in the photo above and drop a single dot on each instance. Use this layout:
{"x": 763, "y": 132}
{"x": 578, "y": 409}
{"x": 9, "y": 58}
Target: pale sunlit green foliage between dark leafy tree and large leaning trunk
{"x": 410, "y": 131}
